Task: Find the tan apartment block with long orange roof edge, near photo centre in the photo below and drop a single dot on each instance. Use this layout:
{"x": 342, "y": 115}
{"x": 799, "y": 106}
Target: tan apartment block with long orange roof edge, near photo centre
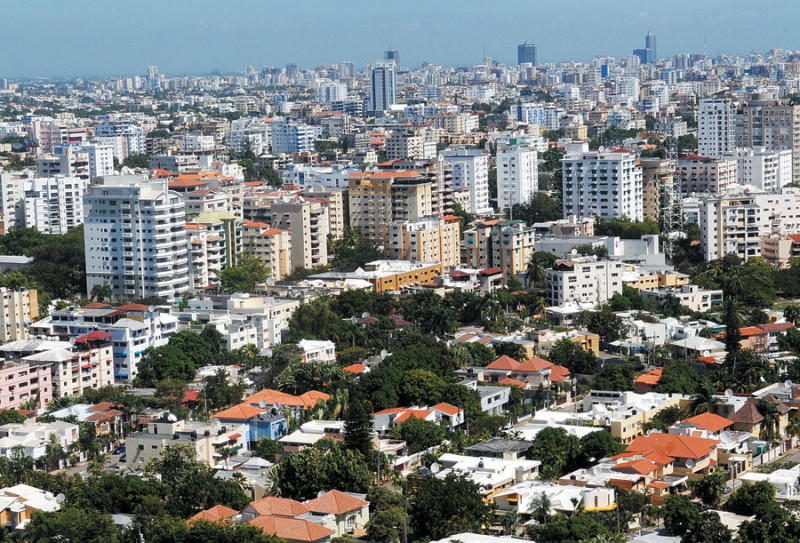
{"x": 380, "y": 198}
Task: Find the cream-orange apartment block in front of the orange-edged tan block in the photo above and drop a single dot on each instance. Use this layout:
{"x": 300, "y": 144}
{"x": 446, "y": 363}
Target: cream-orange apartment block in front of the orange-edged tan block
{"x": 425, "y": 240}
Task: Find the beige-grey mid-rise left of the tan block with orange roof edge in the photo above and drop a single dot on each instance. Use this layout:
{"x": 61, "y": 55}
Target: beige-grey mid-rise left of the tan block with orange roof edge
{"x": 307, "y": 220}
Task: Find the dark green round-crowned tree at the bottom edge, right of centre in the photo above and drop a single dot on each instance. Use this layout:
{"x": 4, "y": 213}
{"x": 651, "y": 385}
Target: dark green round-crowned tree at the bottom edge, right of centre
{"x": 447, "y": 506}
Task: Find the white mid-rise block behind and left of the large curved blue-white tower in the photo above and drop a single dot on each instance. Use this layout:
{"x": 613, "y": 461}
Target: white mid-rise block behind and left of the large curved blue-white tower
{"x": 54, "y": 205}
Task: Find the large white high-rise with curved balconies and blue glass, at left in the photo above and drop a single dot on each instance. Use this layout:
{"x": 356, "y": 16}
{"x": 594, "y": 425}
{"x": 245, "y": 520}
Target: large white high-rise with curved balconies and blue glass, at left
{"x": 134, "y": 238}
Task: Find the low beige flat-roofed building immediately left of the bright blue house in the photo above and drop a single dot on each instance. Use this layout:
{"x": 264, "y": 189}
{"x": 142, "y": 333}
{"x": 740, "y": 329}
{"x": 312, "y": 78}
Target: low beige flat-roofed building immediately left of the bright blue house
{"x": 206, "y": 439}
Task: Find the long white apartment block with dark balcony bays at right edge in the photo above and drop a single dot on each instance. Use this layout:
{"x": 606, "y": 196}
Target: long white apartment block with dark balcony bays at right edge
{"x": 735, "y": 223}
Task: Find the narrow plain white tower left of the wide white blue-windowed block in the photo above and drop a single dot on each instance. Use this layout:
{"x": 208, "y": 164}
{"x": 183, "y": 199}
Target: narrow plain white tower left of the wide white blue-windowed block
{"x": 517, "y": 175}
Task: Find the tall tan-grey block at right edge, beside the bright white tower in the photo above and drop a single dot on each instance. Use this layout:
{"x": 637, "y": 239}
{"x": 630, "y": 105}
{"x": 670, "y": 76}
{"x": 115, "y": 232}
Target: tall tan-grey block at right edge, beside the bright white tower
{"x": 772, "y": 125}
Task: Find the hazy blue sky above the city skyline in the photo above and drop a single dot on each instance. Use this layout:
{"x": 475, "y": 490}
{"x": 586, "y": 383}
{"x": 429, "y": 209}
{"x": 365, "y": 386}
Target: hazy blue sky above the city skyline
{"x": 118, "y": 37}
